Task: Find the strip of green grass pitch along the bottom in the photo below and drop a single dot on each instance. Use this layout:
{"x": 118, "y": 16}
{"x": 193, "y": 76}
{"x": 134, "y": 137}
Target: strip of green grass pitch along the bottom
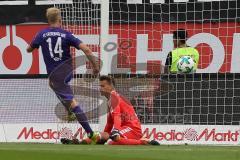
{"x": 25, "y": 151}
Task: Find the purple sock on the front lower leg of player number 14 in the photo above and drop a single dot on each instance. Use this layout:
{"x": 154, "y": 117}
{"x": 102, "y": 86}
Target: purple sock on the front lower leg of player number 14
{"x": 82, "y": 119}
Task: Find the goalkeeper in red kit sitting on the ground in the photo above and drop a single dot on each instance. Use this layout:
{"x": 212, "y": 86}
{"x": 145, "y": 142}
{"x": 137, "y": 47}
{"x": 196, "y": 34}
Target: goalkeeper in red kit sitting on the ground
{"x": 123, "y": 126}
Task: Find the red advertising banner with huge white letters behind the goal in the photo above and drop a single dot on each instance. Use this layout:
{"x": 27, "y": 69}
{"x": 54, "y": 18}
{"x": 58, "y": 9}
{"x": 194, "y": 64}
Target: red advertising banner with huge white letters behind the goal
{"x": 147, "y": 43}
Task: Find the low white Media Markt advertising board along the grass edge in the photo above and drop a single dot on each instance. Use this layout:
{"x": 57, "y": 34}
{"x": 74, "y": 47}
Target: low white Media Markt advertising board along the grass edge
{"x": 165, "y": 134}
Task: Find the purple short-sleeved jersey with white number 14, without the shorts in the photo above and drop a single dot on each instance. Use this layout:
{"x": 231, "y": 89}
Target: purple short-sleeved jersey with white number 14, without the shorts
{"x": 55, "y": 44}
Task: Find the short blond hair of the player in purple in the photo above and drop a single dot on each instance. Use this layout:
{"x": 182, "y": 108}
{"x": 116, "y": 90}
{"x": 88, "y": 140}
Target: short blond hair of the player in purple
{"x": 53, "y": 15}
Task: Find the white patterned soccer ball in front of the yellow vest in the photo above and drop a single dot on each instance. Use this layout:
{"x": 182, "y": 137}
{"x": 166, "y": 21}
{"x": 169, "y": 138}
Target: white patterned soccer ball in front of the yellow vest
{"x": 185, "y": 64}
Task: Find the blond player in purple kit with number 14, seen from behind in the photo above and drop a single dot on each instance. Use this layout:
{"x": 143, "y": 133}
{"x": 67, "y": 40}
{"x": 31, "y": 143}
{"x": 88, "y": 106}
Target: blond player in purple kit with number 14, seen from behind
{"x": 55, "y": 44}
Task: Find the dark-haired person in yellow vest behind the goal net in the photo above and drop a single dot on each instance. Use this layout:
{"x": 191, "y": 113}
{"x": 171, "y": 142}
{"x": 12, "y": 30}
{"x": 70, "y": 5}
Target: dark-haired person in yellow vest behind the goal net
{"x": 180, "y": 49}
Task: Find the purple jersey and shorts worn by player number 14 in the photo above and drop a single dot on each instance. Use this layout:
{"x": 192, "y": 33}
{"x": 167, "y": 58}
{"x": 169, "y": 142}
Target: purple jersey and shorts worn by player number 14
{"x": 55, "y": 44}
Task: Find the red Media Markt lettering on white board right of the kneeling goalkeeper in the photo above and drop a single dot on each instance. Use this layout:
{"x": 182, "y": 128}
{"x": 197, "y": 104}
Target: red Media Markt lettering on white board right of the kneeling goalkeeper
{"x": 191, "y": 134}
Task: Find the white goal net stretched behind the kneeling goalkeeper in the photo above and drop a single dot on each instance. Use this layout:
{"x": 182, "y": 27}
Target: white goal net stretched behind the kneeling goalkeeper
{"x": 140, "y": 38}
